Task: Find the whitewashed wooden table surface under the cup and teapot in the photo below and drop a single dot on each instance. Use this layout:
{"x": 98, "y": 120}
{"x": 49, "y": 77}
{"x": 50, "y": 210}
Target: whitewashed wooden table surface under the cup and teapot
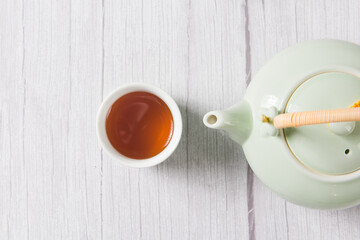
{"x": 59, "y": 58}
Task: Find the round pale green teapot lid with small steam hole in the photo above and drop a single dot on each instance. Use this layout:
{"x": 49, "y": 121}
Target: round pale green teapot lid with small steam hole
{"x": 318, "y": 147}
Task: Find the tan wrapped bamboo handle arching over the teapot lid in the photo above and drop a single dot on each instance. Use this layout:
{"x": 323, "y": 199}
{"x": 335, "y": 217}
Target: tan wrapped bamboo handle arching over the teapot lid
{"x": 316, "y": 117}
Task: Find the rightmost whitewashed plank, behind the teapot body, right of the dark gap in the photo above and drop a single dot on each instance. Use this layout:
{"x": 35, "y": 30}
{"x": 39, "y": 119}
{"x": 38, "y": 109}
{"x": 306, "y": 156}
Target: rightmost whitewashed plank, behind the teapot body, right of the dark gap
{"x": 275, "y": 26}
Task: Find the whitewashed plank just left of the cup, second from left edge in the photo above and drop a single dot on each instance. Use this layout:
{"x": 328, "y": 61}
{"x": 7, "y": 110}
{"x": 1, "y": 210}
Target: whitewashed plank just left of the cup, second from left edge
{"x": 58, "y": 164}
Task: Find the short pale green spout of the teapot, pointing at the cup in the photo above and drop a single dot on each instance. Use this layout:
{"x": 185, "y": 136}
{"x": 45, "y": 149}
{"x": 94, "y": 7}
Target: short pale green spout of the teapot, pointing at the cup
{"x": 236, "y": 121}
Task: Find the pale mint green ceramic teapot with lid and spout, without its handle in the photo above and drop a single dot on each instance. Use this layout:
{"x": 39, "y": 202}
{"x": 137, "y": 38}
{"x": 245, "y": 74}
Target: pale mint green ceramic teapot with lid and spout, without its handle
{"x": 316, "y": 166}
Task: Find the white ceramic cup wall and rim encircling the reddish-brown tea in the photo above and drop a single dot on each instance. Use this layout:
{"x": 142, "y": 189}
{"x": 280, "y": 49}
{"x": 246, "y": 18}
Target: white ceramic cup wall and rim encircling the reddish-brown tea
{"x": 101, "y": 131}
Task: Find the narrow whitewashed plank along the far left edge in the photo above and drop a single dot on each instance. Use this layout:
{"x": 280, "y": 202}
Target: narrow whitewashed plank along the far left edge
{"x": 13, "y": 175}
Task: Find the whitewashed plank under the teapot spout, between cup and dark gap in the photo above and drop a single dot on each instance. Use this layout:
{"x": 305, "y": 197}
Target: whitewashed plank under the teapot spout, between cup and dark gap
{"x": 217, "y": 170}
